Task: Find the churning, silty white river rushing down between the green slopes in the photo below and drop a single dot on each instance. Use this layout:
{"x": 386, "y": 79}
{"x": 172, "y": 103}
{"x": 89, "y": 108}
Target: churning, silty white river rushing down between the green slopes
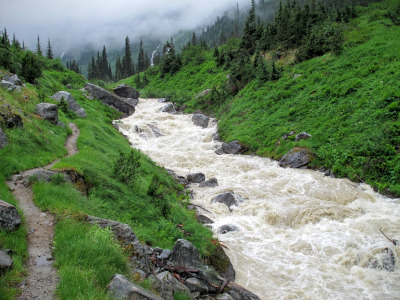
{"x": 301, "y": 235}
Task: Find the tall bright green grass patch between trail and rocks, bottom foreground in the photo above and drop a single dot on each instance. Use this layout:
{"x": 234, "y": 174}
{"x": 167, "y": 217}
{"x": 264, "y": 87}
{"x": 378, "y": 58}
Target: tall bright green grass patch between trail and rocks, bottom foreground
{"x": 87, "y": 257}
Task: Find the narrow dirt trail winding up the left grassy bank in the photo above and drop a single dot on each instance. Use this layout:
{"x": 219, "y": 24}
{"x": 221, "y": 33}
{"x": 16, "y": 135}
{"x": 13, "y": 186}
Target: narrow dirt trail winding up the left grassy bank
{"x": 42, "y": 278}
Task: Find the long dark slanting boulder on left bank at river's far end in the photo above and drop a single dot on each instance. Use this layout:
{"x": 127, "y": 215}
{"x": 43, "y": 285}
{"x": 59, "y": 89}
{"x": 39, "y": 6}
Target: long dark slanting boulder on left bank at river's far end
{"x": 125, "y": 106}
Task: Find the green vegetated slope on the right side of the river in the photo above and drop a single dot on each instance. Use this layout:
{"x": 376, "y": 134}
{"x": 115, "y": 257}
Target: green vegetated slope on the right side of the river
{"x": 349, "y": 103}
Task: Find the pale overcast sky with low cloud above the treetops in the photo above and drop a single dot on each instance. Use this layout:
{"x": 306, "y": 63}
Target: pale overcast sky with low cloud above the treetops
{"x": 68, "y": 23}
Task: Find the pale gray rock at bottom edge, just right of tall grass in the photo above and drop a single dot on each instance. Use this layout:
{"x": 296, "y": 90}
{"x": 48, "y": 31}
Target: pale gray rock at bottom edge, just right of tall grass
{"x": 121, "y": 288}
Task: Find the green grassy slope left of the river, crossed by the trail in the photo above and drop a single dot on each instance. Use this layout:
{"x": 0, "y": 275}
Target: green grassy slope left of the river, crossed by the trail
{"x": 149, "y": 201}
